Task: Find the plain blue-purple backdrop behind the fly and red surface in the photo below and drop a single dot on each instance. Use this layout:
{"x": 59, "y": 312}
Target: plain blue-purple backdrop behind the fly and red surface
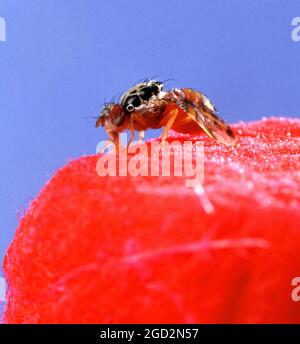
{"x": 61, "y": 60}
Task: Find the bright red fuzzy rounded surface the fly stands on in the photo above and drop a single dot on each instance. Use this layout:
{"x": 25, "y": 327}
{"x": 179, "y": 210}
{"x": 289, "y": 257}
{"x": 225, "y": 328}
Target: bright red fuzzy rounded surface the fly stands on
{"x": 143, "y": 249}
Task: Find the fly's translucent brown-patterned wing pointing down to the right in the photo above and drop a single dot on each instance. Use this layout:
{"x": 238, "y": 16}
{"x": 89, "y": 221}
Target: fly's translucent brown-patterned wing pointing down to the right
{"x": 205, "y": 114}
